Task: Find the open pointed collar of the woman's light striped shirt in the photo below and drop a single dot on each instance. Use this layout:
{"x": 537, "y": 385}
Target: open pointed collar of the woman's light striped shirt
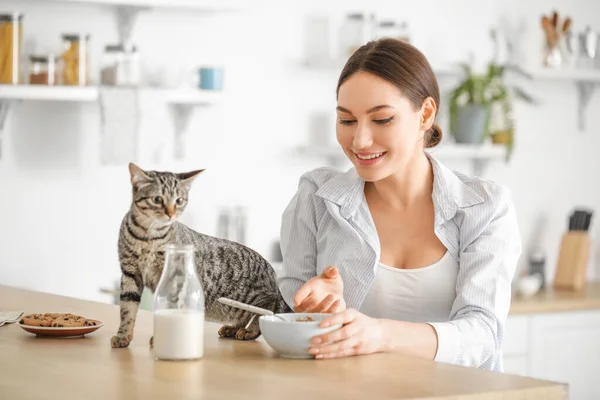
{"x": 449, "y": 192}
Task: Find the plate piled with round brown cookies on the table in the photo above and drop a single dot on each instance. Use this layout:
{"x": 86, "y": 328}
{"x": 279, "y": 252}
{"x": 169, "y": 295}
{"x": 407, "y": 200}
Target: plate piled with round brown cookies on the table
{"x": 59, "y": 324}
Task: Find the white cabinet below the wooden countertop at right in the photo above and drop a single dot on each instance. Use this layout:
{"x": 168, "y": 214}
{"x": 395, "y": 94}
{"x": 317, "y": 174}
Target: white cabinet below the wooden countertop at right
{"x": 559, "y": 346}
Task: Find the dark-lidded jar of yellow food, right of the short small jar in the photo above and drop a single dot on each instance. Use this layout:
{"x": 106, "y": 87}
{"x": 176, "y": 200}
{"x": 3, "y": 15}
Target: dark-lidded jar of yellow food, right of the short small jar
{"x": 75, "y": 58}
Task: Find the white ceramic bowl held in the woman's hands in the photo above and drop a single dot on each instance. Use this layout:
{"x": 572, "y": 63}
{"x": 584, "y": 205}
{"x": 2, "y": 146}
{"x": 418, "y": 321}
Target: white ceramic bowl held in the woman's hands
{"x": 291, "y": 338}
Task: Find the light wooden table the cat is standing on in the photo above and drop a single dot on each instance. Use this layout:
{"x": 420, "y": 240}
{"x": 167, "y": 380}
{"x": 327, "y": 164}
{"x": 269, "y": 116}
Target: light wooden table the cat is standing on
{"x": 88, "y": 368}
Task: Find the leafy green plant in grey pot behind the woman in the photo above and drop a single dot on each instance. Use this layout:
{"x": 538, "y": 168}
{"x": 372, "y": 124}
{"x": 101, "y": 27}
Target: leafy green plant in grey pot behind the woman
{"x": 481, "y": 106}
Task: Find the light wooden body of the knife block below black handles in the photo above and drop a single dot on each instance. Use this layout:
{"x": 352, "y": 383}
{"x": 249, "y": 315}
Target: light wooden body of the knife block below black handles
{"x": 571, "y": 269}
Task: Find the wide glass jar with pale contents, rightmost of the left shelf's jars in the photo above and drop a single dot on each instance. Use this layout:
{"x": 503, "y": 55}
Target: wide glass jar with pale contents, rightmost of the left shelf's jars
{"x": 120, "y": 66}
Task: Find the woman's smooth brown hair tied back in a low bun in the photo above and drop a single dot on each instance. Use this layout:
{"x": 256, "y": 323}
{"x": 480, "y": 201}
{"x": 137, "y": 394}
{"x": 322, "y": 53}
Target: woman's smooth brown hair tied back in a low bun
{"x": 404, "y": 66}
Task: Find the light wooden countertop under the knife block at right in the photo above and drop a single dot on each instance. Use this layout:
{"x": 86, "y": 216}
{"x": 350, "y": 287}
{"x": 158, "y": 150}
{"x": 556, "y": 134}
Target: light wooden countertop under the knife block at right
{"x": 551, "y": 300}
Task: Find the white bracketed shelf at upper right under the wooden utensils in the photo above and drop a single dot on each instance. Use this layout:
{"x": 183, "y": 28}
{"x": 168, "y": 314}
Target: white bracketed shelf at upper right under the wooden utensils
{"x": 585, "y": 80}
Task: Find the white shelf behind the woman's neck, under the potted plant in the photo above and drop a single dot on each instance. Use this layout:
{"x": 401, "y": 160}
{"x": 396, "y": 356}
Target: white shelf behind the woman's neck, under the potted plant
{"x": 478, "y": 155}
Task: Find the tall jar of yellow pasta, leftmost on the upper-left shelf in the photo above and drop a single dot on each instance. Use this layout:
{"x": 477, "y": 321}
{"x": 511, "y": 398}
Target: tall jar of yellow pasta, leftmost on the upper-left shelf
{"x": 11, "y": 37}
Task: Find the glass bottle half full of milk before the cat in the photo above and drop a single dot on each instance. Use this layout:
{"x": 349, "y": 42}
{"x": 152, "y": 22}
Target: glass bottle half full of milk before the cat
{"x": 179, "y": 307}
